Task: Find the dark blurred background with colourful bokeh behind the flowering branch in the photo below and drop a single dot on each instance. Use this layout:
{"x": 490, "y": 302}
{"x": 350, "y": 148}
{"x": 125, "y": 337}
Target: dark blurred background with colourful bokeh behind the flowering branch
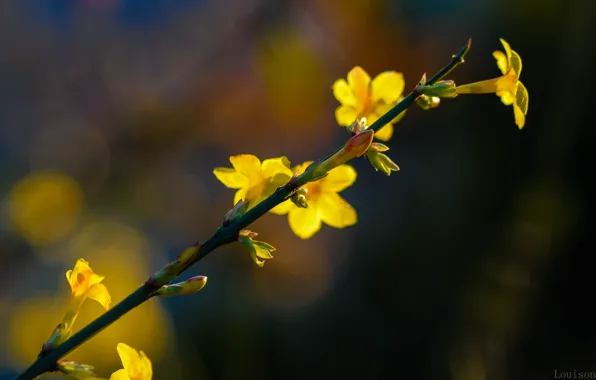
{"x": 471, "y": 263}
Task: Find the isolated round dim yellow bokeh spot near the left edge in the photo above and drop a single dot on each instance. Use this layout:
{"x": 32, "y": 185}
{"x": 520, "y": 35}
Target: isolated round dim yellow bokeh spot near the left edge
{"x": 45, "y": 206}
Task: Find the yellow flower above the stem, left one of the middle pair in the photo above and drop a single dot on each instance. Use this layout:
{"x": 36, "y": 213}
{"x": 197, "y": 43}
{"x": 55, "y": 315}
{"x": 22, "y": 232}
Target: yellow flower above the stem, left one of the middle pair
{"x": 254, "y": 180}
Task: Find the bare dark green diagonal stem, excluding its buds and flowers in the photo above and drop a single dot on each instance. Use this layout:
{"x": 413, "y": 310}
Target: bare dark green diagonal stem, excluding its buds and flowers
{"x": 224, "y": 235}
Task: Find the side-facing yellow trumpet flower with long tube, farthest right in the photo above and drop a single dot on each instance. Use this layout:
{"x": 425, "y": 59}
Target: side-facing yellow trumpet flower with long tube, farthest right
{"x": 507, "y": 87}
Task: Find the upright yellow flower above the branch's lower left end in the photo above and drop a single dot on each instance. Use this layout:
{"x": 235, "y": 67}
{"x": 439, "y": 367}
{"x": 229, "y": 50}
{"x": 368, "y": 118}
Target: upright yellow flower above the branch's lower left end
{"x": 84, "y": 283}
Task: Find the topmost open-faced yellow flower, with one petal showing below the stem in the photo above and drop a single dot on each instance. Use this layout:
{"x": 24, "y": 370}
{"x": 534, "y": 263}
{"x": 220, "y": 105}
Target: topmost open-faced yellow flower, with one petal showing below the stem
{"x": 360, "y": 97}
